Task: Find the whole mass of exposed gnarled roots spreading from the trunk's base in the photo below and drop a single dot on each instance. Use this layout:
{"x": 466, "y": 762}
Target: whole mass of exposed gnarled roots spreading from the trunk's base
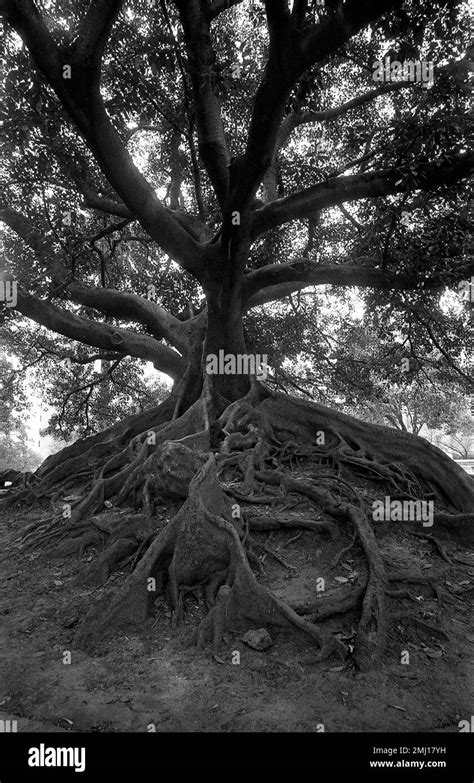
{"x": 162, "y": 455}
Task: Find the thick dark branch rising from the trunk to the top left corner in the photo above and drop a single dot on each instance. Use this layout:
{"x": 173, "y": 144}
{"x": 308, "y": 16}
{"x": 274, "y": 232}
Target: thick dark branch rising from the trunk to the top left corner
{"x": 80, "y": 96}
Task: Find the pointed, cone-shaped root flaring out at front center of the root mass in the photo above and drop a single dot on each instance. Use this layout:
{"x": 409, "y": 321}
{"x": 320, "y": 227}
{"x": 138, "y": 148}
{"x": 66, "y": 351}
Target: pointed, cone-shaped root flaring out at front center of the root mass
{"x": 199, "y": 542}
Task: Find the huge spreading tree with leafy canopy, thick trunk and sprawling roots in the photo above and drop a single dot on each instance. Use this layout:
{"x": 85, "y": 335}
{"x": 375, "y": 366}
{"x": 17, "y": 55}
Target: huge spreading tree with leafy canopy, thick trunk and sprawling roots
{"x": 241, "y": 152}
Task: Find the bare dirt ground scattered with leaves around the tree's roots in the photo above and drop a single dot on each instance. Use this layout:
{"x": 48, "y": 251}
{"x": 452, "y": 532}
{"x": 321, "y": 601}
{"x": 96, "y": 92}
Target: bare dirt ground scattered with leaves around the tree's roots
{"x": 150, "y": 678}
